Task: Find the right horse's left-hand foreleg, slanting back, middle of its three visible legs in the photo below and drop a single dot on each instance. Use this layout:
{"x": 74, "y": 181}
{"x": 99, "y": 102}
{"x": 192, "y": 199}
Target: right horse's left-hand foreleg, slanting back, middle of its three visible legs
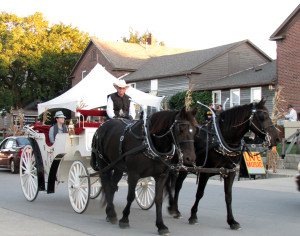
{"x": 200, "y": 192}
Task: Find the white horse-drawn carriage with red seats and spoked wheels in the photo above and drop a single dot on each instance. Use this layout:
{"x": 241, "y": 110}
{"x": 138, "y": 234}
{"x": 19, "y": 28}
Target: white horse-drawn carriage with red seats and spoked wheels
{"x": 43, "y": 166}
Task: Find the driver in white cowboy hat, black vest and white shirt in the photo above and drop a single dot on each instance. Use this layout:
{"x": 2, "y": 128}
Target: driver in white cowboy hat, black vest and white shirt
{"x": 119, "y": 104}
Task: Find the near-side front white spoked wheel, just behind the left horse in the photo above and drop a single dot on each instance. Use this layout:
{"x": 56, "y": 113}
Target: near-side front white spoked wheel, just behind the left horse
{"x": 79, "y": 186}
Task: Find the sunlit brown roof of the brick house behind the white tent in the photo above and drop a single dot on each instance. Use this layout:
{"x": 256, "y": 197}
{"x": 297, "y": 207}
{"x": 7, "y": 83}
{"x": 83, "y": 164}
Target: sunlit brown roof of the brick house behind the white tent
{"x": 131, "y": 55}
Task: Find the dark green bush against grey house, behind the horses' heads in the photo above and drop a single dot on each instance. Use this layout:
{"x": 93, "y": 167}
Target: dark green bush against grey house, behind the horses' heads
{"x": 177, "y": 101}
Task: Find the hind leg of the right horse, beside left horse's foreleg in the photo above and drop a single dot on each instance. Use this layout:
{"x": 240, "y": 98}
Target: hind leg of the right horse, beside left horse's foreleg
{"x": 173, "y": 202}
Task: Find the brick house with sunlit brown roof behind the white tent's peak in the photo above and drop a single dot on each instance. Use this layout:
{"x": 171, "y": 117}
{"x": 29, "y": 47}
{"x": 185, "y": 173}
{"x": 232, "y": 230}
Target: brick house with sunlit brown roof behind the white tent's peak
{"x": 118, "y": 58}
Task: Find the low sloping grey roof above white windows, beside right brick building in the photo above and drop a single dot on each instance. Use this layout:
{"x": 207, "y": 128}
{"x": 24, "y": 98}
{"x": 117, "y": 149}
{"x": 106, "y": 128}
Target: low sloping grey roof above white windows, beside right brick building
{"x": 264, "y": 74}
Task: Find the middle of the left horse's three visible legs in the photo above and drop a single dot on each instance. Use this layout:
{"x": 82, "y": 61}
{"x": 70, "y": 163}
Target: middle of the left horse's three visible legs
{"x": 132, "y": 182}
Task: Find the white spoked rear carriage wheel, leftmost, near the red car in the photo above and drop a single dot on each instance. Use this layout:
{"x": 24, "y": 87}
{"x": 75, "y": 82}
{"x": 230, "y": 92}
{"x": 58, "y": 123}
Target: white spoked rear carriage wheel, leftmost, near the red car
{"x": 28, "y": 174}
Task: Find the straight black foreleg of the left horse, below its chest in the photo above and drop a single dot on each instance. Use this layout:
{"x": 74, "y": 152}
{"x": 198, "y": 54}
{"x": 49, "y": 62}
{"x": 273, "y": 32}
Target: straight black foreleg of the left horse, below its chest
{"x": 159, "y": 186}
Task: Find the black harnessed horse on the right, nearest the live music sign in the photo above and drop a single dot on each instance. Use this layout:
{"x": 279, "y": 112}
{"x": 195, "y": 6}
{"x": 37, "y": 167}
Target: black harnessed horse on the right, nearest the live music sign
{"x": 232, "y": 124}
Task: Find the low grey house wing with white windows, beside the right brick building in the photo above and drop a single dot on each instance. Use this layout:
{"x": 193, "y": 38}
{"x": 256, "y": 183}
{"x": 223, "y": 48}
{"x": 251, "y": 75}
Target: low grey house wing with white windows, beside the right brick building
{"x": 245, "y": 86}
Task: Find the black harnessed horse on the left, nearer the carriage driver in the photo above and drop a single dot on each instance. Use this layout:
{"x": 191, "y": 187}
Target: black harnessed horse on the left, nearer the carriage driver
{"x": 123, "y": 146}
